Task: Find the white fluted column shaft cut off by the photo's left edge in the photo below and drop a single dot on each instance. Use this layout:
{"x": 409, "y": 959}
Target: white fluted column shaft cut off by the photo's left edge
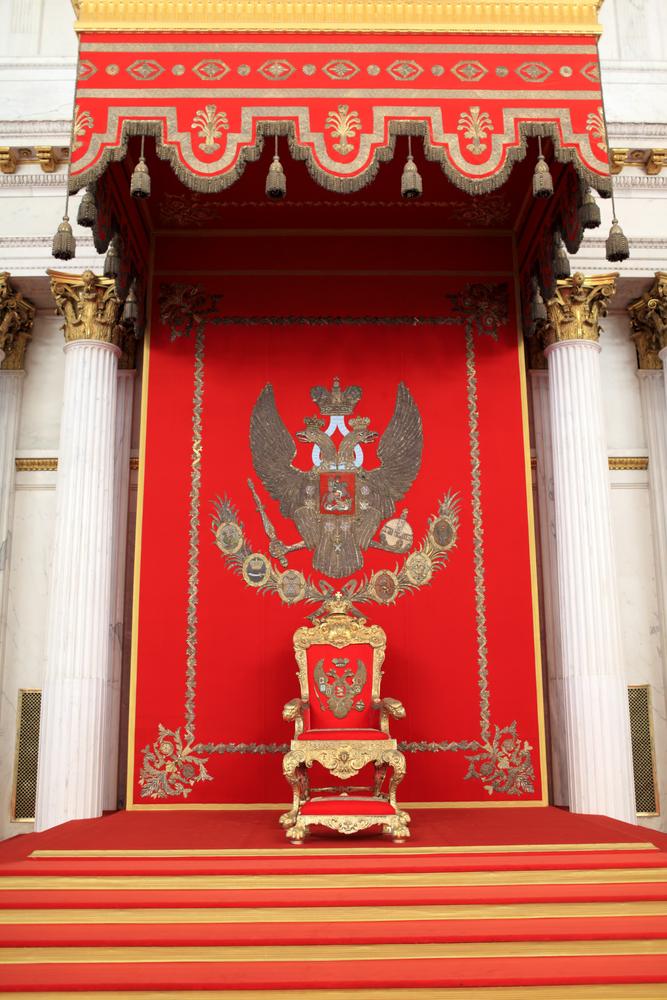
{"x": 11, "y": 390}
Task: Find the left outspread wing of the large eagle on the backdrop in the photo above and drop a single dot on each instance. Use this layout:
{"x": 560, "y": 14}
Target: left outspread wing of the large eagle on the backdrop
{"x": 273, "y": 451}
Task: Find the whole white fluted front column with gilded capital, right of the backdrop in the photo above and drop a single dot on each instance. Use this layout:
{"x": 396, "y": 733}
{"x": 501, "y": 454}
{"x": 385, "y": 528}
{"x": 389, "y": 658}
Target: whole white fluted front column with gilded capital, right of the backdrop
{"x": 595, "y": 698}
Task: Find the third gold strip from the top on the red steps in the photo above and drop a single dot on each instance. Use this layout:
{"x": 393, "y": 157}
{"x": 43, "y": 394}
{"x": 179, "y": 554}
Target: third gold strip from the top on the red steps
{"x": 333, "y": 914}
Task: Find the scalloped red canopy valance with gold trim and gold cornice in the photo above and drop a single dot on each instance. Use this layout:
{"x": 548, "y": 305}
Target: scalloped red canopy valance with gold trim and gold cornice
{"x": 507, "y": 71}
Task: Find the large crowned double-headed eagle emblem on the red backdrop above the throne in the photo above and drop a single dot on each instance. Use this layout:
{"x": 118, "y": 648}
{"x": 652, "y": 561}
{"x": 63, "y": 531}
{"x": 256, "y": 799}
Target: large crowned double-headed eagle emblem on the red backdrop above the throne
{"x": 338, "y": 505}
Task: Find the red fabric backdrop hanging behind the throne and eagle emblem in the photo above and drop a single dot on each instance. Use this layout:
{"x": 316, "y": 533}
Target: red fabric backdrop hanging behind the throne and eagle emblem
{"x": 214, "y": 661}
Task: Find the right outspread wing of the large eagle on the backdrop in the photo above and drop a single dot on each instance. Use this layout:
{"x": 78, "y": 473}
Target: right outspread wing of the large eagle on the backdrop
{"x": 400, "y": 454}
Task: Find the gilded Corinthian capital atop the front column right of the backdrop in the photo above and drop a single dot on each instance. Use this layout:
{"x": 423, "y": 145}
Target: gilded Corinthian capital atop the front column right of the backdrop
{"x": 579, "y": 304}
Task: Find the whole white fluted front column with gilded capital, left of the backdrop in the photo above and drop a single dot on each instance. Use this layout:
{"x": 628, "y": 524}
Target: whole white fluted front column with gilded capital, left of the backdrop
{"x": 70, "y": 780}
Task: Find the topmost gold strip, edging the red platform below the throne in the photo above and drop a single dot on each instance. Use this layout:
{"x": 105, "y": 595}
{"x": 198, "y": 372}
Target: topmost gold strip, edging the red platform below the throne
{"x": 351, "y": 851}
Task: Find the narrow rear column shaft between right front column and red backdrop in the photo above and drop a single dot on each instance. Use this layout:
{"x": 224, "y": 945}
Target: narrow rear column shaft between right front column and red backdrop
{"x": 539, "y": 381}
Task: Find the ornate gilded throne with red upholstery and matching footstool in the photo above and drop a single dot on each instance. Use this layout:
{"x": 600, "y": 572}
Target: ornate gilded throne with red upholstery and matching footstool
{"x": 342, "y": 724}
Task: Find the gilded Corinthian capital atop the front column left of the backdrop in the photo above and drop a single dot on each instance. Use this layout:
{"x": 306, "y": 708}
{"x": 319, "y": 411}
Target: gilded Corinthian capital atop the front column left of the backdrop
{"x": 89, "y": 305}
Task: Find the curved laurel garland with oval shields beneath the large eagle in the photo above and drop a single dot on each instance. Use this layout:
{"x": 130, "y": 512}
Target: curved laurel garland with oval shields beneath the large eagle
{"x": 383, "y": 586}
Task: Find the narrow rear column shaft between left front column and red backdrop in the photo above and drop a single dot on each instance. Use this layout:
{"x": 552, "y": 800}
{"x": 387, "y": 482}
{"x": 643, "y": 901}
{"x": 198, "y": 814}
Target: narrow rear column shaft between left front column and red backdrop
{"x": 122, "y": 437}
